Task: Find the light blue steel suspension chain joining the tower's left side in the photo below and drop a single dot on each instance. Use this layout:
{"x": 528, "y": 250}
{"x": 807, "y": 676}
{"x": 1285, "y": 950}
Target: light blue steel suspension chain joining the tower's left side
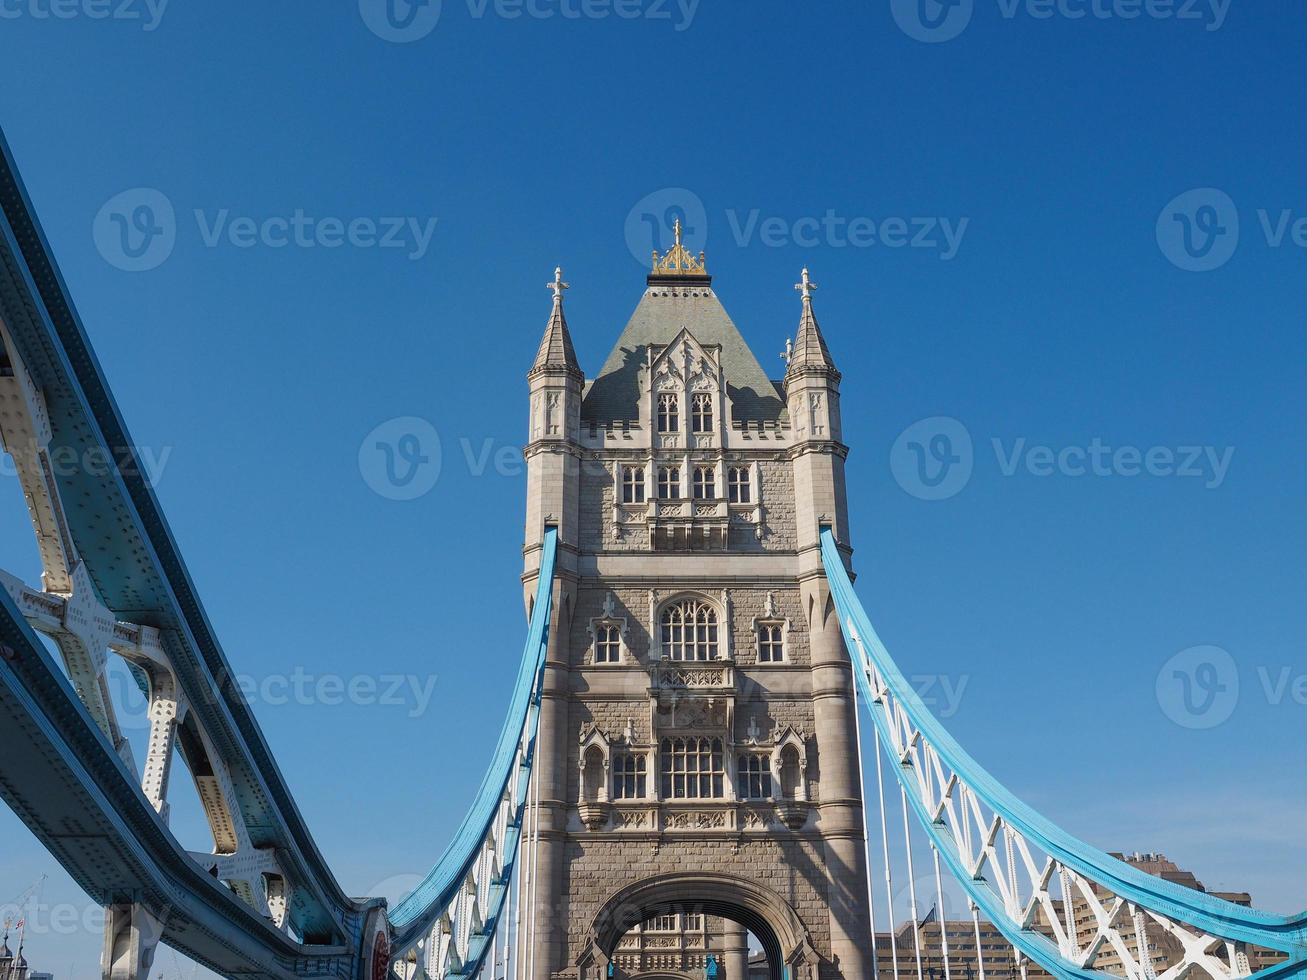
{"x": 415, "y": 915}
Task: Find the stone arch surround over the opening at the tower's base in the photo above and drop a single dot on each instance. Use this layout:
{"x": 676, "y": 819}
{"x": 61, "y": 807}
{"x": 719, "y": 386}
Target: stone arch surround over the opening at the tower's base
{"x": 761, "y": 911}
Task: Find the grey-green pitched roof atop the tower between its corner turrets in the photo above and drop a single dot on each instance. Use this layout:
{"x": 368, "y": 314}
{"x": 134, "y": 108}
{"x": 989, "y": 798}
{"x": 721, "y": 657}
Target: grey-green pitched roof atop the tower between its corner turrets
{"x": 661, "y": 316}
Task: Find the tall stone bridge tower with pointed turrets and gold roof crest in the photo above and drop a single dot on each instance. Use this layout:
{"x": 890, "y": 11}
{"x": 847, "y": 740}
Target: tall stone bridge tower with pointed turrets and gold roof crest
{"x": 699, "y": 751}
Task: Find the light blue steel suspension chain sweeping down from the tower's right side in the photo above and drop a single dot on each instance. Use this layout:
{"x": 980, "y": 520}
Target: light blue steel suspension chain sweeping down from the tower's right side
{"x": 1195, "y": 909}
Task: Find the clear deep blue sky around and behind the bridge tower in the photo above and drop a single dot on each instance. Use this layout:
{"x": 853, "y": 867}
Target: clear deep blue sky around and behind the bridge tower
{"x": 995, "y": 211}
